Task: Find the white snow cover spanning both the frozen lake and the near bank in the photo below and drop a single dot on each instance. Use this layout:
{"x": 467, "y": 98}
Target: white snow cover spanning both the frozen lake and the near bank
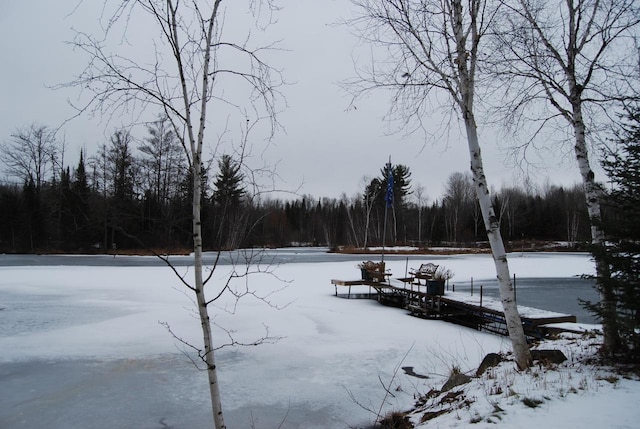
{"x": 82, "y": 347}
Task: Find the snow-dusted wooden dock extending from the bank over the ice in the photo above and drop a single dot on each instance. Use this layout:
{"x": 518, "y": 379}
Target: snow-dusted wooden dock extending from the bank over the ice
{"x": 475, "y": 311}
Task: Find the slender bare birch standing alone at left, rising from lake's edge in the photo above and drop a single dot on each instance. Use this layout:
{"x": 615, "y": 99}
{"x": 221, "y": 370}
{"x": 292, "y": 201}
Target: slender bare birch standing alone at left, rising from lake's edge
{"x": 192, "y": 67}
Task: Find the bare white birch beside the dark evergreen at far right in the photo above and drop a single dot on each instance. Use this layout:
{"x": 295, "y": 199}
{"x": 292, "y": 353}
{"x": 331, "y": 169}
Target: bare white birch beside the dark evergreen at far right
{"x": 564, "y": 65}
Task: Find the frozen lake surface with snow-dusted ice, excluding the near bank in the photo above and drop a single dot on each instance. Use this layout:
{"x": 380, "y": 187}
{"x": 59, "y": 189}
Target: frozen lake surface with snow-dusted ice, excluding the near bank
{"x": 81, "y": 345}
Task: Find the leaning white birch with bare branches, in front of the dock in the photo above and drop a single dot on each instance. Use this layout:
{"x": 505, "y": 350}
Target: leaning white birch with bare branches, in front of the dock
{"x": 432, "y": 48}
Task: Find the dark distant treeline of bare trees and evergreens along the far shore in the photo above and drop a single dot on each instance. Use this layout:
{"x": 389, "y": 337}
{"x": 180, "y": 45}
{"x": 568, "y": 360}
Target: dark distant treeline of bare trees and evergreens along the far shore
{"x": 137, "y": 195}
